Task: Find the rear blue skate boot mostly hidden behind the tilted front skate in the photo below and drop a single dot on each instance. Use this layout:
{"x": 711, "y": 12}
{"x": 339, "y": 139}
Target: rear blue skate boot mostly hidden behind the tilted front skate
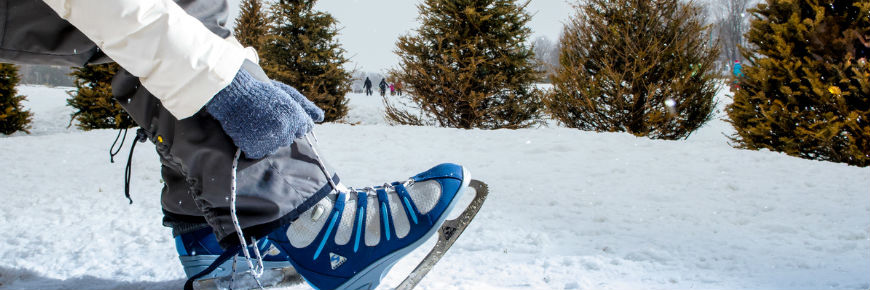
{"x": 199, "y": 249}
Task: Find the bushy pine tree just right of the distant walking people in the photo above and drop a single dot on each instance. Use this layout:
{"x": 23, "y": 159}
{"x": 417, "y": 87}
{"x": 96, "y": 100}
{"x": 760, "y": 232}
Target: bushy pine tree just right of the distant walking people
{"x": 468, "y": 66}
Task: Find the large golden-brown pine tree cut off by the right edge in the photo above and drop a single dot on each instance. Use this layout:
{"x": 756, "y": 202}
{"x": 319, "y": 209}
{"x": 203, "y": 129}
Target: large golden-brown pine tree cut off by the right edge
{"x": 806, "y": 90}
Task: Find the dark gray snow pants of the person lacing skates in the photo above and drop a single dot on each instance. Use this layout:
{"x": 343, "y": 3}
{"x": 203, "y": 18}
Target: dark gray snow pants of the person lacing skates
{"x": 195, "y": 153}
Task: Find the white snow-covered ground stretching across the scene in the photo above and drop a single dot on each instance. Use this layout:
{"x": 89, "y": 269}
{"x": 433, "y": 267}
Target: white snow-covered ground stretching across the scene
{"x": 568, "y": 209}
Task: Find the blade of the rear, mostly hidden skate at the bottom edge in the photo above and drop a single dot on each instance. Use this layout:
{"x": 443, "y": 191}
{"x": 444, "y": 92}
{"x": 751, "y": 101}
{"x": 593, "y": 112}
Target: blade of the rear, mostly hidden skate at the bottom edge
{"x": 278, "y": 277}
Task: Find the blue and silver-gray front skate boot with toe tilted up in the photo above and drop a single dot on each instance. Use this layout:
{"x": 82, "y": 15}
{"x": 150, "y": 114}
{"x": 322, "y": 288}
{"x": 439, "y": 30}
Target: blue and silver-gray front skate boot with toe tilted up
{"x": 352, "y": 238}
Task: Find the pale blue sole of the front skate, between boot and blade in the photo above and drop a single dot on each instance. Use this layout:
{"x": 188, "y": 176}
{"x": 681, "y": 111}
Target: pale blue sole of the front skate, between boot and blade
{"x": 370, "y": 277}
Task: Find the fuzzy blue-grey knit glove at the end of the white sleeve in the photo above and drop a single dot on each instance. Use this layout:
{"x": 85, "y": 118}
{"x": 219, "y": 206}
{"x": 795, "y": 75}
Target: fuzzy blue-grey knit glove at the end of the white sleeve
{"x": 258, "y": 116}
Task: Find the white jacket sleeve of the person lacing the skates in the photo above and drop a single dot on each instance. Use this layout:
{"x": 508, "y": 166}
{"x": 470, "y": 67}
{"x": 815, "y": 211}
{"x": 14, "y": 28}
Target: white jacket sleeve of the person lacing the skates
{"x": 175, "y": 56}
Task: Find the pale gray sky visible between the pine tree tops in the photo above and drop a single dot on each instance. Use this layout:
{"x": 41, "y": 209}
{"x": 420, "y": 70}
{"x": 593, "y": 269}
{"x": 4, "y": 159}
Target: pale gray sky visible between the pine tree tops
{"x": 370, "y": 28}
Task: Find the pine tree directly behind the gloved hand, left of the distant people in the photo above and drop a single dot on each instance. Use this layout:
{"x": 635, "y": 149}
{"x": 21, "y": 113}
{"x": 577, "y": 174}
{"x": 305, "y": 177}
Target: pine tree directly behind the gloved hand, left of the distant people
{"x": 301, "y": 50}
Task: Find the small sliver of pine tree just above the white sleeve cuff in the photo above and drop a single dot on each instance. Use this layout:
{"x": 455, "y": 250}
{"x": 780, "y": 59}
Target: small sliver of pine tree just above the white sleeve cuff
{"x": 251, "y": 25}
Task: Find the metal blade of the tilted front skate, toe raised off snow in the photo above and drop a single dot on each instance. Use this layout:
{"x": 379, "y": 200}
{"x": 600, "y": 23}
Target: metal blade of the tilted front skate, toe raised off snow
{"x": 447, "y": 235}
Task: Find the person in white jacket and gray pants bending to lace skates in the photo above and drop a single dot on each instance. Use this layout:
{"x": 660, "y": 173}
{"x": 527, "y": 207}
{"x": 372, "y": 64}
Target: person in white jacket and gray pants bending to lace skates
{"x": 237, "y": 161}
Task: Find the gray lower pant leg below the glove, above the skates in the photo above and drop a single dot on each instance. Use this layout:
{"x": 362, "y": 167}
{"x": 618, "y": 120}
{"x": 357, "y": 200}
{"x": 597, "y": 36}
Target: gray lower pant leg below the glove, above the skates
{"x": 198, "y": 156}
